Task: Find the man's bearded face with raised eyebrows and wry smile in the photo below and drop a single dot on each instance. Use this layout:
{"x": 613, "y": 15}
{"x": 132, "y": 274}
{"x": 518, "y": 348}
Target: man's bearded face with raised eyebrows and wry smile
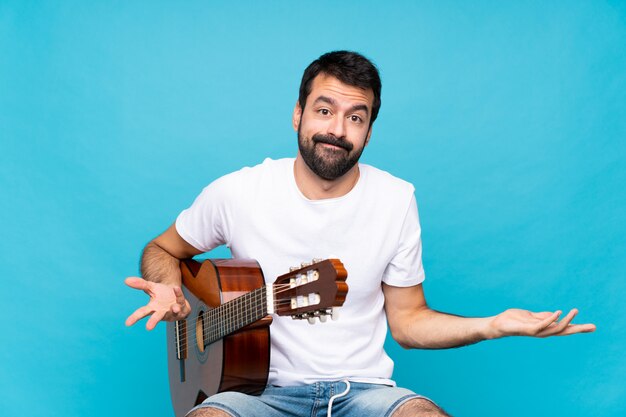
{"x": 334, "y": 126}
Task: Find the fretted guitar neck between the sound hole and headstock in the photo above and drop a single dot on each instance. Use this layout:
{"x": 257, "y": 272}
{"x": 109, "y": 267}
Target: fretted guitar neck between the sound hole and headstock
{"x": 236, "y": 314}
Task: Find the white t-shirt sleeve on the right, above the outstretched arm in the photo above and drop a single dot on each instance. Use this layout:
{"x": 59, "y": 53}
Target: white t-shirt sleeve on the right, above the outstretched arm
{"x": 405, "y": 268}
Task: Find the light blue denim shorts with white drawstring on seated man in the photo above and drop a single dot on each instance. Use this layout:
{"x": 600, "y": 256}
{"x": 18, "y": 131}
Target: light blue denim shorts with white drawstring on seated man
{"x": 355, "y": 399}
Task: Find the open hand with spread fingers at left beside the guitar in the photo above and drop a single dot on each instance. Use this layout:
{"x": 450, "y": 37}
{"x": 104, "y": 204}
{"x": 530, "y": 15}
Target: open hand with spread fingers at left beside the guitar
{"x": 167, "y": 302}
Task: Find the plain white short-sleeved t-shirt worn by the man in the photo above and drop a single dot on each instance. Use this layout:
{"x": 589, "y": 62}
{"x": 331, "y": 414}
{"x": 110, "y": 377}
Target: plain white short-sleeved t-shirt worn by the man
{"x": 374, "y": 230}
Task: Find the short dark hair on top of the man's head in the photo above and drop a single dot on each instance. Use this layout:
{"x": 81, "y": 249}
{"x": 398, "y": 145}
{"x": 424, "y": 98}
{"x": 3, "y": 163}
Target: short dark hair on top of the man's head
{"x": 348, "y": 67}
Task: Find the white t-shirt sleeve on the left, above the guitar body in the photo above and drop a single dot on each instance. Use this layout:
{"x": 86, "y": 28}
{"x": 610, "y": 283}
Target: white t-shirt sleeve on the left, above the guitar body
{"x": 205, "y": 224}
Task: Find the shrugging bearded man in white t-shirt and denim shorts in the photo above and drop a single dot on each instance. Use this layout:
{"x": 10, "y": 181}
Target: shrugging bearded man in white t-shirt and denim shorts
{"x": 325, "y": 204}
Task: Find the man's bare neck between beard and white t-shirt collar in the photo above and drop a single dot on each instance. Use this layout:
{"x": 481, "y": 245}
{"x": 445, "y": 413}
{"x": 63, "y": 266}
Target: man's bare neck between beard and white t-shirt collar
{"x": 314, "y": 187}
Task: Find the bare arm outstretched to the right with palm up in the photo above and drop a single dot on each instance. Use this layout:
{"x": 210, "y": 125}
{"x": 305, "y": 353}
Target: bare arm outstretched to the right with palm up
{"x": 414, "y": 325}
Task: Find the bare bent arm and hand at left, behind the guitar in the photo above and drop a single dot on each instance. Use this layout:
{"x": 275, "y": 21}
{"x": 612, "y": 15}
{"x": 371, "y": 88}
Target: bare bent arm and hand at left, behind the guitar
{"x": 161, "y": 279}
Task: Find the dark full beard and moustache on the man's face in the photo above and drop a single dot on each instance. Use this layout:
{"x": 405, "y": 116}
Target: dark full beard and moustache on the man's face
{"x": 328, "y": 163}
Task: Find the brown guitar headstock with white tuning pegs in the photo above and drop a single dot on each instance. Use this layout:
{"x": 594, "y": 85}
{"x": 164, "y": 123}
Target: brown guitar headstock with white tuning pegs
{"x": 314, "y": 289}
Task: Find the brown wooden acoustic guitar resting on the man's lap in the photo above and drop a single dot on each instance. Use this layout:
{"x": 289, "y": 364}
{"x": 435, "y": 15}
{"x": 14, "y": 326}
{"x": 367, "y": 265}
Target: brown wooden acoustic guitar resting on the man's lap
{"x": 224, "y": 344}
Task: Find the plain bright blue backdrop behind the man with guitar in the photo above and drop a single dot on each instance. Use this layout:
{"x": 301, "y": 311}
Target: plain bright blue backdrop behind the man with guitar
{"x": 509, "y": 118}
